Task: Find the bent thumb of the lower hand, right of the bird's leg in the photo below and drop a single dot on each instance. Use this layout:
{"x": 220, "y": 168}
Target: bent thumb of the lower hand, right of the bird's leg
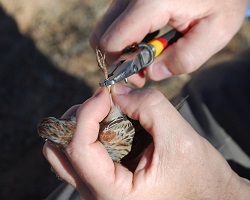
{"x": 160, "y": 119}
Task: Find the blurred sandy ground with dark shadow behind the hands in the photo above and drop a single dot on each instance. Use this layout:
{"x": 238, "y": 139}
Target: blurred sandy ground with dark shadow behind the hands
{"x": 46, "y": 66}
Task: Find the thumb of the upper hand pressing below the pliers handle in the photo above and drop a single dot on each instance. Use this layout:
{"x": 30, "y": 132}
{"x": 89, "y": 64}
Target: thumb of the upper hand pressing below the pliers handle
{"x": 190, "y": 51}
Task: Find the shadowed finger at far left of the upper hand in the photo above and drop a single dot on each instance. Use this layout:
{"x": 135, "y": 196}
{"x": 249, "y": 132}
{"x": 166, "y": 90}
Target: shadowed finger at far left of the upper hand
{"x": 114, "y": 10}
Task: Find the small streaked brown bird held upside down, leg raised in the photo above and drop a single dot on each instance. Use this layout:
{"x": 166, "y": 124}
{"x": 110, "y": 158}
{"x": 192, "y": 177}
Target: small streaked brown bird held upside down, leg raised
{"x": 116, "y": 132}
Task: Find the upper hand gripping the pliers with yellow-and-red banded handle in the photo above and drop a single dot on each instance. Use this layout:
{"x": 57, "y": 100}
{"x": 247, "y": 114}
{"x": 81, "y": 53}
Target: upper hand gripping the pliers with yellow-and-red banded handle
{"x": 208, "y": 25}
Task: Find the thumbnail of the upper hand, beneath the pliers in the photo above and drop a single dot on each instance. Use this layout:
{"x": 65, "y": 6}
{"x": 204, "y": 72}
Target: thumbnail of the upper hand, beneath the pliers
{"x": 160, "y": 71}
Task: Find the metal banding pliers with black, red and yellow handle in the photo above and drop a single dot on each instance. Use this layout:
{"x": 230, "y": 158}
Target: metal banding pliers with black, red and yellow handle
{"x": 138, "y": 56}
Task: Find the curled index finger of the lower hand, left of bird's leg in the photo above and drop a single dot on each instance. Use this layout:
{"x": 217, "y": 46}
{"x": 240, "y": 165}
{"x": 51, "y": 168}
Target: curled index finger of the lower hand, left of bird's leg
{"x": 88, "y": 156}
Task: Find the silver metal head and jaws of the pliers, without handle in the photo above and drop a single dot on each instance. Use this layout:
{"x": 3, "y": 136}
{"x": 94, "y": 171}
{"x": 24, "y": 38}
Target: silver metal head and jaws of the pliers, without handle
{"x": 134, "y": 59}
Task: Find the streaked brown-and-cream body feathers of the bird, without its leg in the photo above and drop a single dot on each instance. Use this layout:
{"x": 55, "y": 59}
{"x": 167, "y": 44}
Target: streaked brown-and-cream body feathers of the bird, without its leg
{"x": 116, "y": 135}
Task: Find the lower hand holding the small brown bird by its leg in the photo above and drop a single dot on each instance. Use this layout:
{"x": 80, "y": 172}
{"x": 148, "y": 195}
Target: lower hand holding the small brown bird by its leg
{"x": 178, "y": 165}
